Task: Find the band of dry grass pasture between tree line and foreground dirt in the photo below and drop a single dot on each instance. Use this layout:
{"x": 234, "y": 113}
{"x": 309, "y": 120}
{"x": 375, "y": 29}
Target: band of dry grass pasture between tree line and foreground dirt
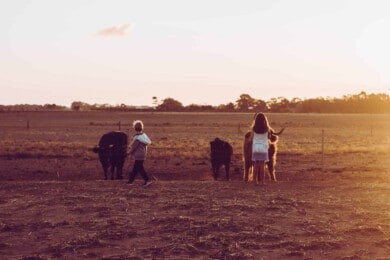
{"x": 180, "y": 141}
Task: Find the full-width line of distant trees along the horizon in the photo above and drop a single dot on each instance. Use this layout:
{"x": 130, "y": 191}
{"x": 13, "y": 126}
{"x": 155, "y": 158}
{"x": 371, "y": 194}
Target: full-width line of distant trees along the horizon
{"x": 359, "y": 103}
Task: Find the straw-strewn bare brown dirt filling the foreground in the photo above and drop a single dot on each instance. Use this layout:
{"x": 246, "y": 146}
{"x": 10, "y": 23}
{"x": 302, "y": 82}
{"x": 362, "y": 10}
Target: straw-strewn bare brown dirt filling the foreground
{"x": 312, "y": 215}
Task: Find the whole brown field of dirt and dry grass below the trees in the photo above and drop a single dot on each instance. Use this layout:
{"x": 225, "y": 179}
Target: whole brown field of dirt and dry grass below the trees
{"x": 331, "y": 201}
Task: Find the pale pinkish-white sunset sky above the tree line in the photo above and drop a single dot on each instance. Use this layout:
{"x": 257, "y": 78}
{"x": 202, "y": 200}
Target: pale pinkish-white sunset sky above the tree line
{"x": 200, "y": 52}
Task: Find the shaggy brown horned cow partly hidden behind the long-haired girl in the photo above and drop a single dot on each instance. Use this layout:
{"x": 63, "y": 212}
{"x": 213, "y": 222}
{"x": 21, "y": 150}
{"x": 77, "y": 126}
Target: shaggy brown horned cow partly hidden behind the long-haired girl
{"x": 272, "y": 151}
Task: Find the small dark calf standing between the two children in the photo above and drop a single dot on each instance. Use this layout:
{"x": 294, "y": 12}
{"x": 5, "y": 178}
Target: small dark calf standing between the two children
{"x": 221, "y": 154}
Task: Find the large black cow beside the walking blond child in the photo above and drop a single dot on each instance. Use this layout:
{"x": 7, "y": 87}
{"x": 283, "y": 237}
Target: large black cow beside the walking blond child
{"x": 112, "y": 151}
